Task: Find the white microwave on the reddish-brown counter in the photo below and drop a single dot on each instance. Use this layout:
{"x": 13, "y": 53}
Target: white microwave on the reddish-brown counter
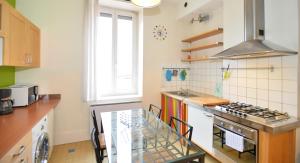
{"x": 24, "y": 94}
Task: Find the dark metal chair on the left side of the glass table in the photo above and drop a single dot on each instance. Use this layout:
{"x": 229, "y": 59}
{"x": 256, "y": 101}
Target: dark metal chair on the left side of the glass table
{"x": 100, "y": 135}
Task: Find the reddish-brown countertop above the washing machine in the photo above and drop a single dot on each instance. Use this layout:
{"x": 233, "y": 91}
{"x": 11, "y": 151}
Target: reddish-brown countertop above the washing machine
{"x": 16, "y": 125}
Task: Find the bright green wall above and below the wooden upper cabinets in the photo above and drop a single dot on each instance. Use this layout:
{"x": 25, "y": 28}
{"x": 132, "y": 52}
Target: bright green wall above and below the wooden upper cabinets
{"x": 7, "y": 74}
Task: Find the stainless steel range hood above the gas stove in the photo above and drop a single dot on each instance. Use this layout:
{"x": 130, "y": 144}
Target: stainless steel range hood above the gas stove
{"x": 255, "y": 46}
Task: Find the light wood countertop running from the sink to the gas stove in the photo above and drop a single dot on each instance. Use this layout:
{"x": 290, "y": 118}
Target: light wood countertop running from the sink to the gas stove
{"x": 200, "y": 99}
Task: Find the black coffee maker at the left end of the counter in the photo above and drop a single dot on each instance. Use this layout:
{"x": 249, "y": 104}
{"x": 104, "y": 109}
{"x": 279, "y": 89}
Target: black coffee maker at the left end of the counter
{"x": 6, "y": 103}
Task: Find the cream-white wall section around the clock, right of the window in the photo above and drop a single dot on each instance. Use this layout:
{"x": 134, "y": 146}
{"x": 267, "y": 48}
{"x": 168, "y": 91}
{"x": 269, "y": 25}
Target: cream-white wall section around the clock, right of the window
{"x": 159, "y": 53}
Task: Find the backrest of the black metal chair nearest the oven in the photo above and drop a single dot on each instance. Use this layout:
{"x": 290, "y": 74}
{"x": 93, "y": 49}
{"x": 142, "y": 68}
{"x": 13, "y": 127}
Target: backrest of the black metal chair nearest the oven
{"x": 178, "y": 124}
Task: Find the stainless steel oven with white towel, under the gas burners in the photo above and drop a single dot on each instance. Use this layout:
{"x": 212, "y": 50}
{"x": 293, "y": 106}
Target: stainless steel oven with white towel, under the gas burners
{"x": 236, "y": 141}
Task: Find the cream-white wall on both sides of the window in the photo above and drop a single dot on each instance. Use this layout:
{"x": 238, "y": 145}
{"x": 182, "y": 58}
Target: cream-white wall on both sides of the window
{"x": 61, "y": 24}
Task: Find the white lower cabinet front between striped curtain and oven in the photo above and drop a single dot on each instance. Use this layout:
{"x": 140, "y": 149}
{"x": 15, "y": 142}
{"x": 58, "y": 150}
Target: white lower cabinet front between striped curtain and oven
{"x": 202, "y": 123}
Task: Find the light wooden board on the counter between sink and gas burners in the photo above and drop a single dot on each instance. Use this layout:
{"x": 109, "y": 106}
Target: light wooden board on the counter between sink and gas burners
{"x": 208, "y": 100}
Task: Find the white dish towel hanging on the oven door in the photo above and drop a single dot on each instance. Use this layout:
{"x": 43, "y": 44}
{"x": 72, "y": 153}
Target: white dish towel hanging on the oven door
{"x": 234, "y": 141}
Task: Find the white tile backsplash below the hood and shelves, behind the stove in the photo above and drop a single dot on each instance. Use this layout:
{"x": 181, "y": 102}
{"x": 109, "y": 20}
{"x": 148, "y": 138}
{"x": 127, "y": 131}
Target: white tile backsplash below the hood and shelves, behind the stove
{"x": 251, "y": 81}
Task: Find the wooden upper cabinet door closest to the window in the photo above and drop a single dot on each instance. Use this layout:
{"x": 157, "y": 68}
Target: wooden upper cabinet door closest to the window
{"x": 32, "y": 45}
